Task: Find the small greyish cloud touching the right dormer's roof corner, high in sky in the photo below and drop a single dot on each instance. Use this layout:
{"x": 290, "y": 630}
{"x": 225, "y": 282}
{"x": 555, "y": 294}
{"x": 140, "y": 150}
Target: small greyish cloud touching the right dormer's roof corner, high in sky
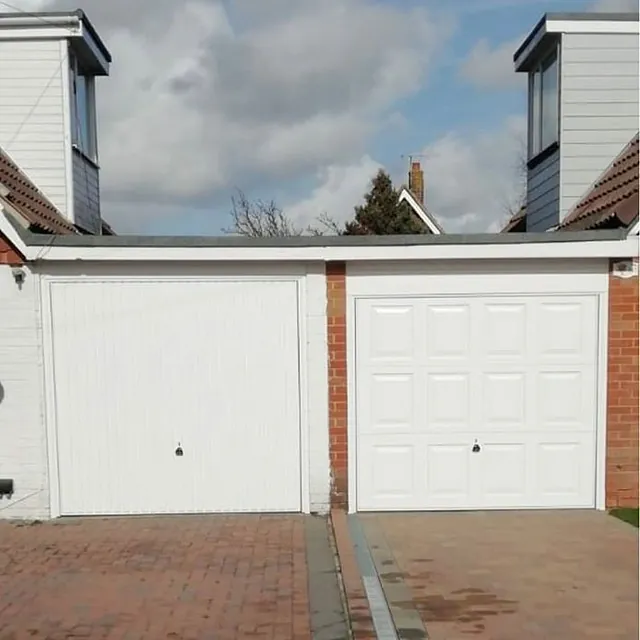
{"x": 492, "y": 68}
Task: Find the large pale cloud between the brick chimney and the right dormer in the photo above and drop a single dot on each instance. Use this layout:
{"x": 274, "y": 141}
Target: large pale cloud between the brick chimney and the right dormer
{"x": 471, "y": 179}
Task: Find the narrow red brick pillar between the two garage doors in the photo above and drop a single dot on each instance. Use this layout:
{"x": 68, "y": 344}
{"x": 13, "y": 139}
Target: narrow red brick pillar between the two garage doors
{"x": 337, "y": 338}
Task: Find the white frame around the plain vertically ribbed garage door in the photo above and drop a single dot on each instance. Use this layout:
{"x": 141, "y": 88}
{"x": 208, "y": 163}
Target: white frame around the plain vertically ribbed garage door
{"x": 226, "y": 275}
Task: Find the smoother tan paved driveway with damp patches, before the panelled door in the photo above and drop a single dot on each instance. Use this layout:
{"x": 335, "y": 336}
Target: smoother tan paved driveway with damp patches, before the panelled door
{"x": 565, "y": 575}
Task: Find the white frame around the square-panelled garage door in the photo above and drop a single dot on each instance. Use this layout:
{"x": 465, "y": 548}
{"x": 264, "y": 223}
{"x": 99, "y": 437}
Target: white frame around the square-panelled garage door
{"x": 595, "y": 283}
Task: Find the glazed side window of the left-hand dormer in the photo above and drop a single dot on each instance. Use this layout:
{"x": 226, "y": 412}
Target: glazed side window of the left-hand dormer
{"x": 83, "y": 120}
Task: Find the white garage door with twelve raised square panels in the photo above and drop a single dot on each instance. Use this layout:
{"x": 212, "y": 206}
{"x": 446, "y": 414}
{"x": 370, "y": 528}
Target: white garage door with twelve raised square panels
{"x": 475, "y": 403}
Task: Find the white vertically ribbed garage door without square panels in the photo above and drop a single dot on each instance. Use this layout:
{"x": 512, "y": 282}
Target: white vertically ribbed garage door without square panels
{"x": 147, "y": 370}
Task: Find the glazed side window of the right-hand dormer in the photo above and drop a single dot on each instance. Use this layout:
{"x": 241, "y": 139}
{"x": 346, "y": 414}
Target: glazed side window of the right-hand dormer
{"x": 543, "y": 105}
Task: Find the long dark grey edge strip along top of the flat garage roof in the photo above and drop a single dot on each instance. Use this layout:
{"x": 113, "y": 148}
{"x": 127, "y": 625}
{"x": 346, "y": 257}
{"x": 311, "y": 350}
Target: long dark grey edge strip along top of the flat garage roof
{"x": 239, "y": 242}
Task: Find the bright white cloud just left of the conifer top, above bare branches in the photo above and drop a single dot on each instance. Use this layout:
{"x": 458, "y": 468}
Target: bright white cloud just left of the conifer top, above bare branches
{"x": 340, "y": 188}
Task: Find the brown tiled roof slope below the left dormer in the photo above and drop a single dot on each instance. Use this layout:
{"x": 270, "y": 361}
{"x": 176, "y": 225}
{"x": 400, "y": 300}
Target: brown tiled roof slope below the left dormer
{"x": 30, "y": 202}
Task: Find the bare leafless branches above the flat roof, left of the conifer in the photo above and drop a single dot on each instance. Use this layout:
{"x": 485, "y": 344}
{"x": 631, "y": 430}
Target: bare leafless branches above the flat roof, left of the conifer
{"x": 260, "y": 219}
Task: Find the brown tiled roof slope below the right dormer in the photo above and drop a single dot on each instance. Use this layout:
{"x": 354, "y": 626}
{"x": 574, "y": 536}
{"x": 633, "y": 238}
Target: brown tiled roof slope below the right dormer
{"x": 612, "y": 202}
